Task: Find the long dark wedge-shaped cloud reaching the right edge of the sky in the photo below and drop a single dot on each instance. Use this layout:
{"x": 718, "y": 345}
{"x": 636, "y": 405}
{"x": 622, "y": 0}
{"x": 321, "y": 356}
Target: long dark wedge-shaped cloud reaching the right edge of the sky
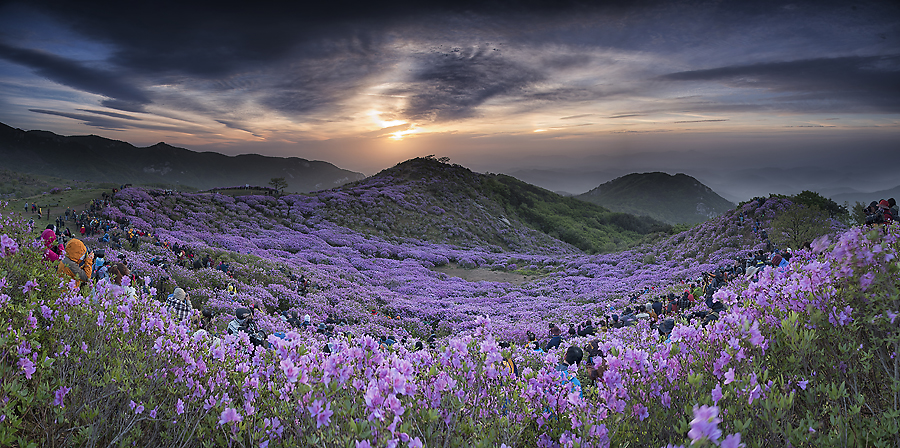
{"x": 860, "y": 83}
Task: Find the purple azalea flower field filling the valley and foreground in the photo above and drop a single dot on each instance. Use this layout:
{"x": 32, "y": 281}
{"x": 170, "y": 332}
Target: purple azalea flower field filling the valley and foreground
{"x": 805, "y": 356}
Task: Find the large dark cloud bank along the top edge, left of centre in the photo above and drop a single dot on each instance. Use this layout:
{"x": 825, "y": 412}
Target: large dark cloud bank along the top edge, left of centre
{"x": 214, "y": 41}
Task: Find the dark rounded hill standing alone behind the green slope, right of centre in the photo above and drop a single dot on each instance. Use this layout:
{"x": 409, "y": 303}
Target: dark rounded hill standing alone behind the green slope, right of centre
{"x": 674, "y": 199}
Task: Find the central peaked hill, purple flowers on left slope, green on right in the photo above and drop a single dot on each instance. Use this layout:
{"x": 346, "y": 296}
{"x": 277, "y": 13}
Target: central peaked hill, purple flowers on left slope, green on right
{"x": 427, "y": 199}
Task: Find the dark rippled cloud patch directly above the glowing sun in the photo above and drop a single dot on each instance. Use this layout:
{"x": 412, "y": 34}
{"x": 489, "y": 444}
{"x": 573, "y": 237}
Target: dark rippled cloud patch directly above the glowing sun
{"x": 452, "y": 85}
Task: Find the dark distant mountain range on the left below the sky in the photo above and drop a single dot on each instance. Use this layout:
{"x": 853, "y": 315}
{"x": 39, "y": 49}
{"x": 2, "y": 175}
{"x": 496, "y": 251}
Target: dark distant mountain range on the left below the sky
{"x": 100, "y": 159}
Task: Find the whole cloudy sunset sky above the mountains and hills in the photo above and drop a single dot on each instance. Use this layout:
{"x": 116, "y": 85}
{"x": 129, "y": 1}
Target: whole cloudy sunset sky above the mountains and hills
{"x": 749, "y": 97}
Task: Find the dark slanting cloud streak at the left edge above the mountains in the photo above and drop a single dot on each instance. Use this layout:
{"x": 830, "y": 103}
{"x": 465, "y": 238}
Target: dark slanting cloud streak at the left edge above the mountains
{"x": 78, "y": 76}
